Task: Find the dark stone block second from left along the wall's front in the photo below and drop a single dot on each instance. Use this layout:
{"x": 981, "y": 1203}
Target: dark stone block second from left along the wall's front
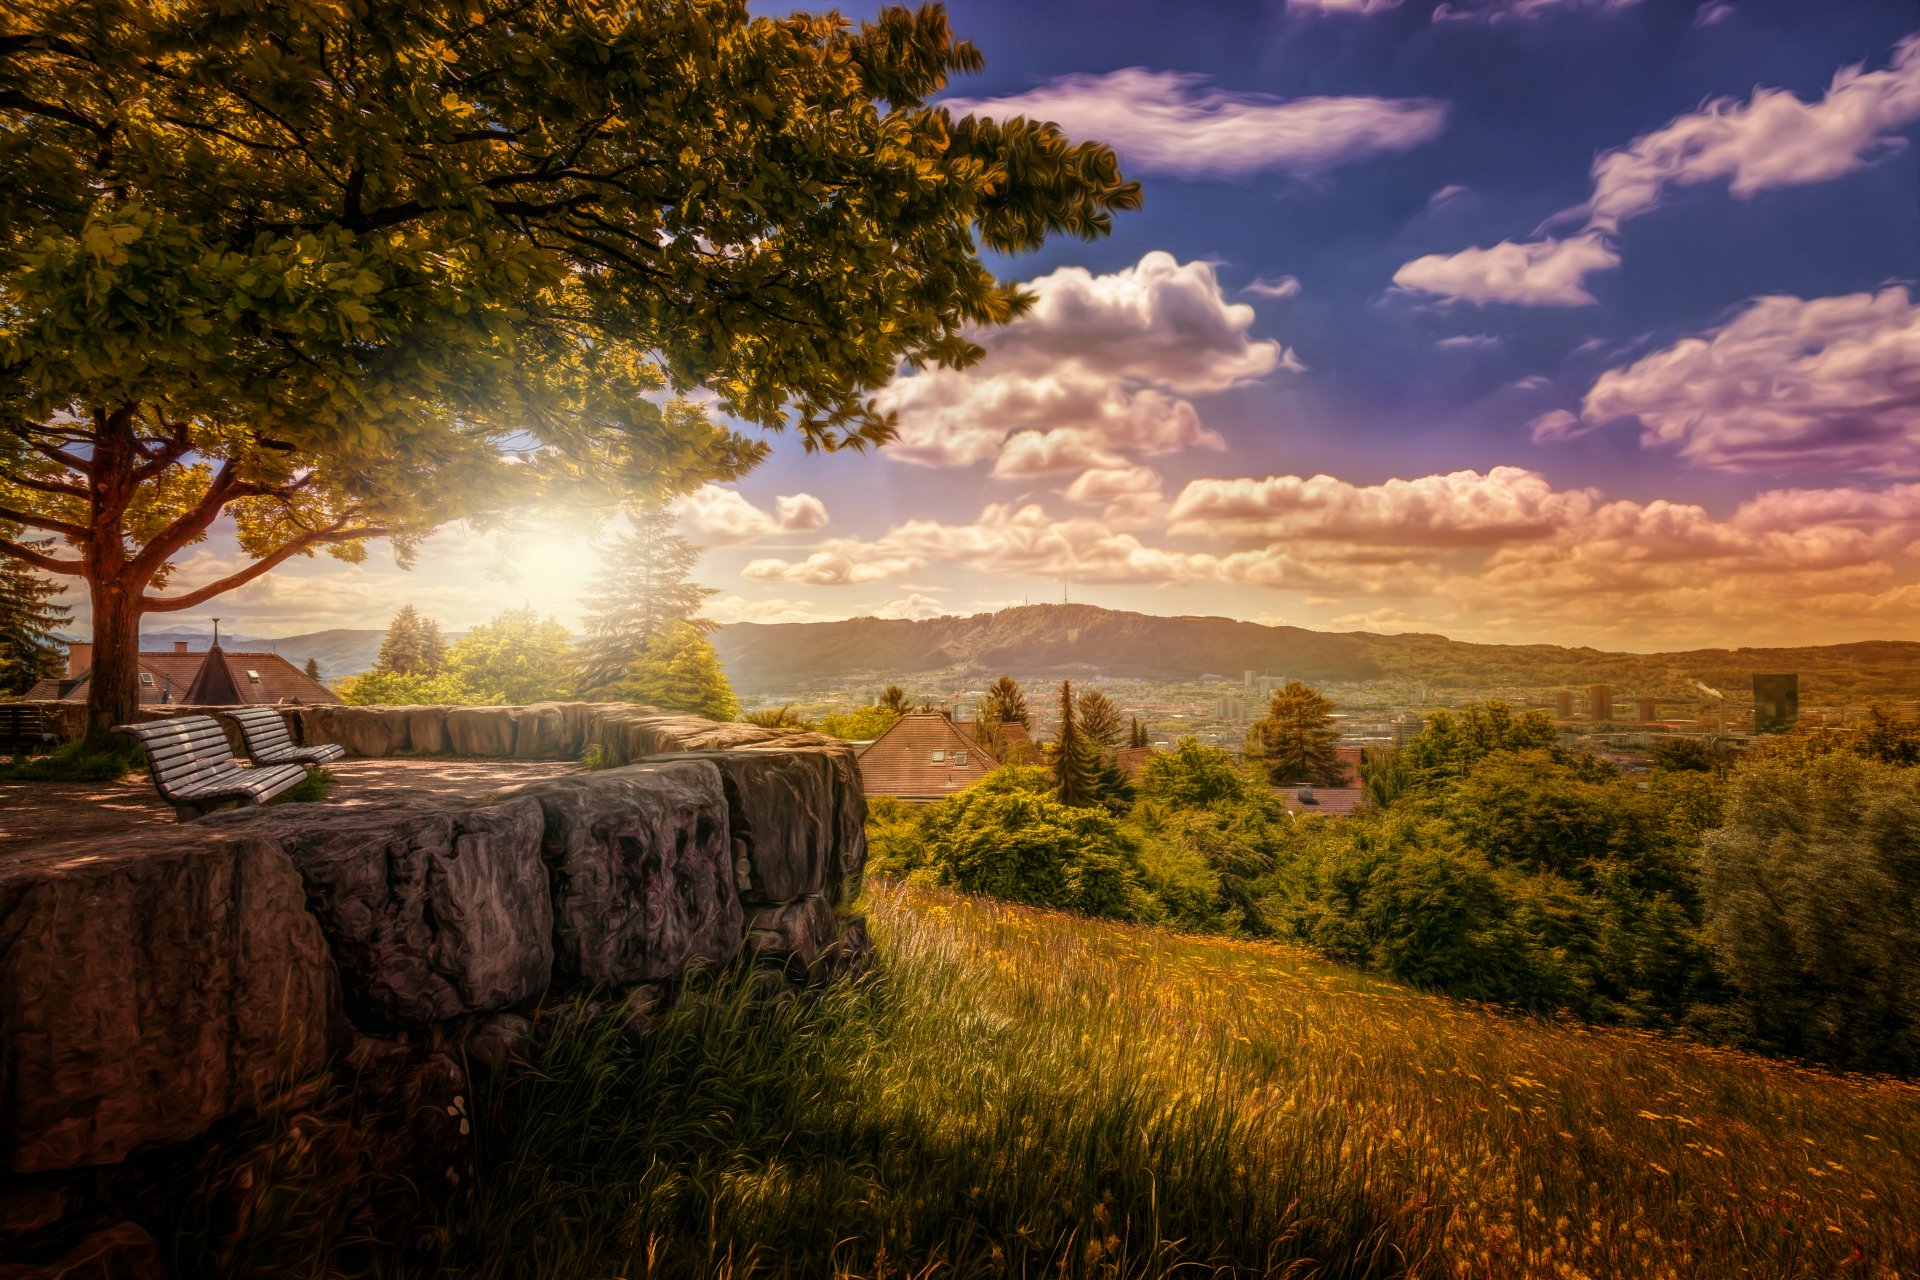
{"x": 433, "y": 914}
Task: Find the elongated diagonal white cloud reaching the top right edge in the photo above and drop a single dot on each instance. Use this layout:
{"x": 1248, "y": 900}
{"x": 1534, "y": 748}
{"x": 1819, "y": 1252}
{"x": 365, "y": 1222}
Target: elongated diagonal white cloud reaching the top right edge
{"x": 1769, "y": 141}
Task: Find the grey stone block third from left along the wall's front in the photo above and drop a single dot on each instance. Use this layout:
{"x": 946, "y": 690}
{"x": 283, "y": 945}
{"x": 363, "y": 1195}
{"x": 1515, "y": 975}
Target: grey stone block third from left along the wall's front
{"x": 642, "y": 872}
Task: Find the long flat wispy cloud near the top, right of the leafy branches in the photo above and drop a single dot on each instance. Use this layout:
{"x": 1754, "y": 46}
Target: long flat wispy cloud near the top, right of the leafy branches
{"x": 1170, "y": 122}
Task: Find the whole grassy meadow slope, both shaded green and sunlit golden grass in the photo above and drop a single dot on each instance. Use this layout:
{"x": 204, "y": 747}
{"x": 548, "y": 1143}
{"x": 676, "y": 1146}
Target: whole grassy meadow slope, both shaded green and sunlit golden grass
{"x": 1024, "y": 1095}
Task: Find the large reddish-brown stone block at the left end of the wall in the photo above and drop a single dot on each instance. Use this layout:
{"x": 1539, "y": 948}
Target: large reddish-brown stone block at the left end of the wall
{"x": 151, "y": 987}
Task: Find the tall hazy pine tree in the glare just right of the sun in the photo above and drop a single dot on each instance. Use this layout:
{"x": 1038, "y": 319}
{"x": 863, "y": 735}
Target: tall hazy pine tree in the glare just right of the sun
{"x": 640, "y": 594}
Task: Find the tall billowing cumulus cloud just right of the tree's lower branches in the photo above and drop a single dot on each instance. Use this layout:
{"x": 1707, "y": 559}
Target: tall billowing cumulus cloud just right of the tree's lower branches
{"x": 1099, "y": 367}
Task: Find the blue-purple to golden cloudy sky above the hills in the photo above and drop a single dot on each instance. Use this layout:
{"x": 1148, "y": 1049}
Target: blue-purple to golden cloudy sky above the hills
{"x": 1572, "y": 321}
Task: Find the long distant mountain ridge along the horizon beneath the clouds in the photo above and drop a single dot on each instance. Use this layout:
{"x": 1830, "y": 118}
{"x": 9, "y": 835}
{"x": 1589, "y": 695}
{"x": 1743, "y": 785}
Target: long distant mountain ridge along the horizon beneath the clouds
{"x": 1084, "y": 640}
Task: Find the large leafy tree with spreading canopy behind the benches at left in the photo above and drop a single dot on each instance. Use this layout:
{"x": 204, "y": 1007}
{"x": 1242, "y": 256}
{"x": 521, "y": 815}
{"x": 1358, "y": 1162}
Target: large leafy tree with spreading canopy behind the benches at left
{"x": 339, "y": 273}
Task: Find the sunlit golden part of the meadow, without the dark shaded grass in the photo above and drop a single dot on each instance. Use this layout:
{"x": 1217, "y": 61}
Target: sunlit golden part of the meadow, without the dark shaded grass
{"x": 1445, "y": 1139}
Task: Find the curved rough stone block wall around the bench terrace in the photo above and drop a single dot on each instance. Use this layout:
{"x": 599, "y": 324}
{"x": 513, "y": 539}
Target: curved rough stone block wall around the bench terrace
{"x": 185, "y": 976}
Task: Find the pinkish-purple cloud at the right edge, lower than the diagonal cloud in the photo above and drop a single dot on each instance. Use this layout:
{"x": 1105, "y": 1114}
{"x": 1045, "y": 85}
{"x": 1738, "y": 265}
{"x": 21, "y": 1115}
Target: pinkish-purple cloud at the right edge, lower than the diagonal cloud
{"x": 1790, "y": 385}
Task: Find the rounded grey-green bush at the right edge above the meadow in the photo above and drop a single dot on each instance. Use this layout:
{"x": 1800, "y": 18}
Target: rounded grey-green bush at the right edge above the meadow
{"x": 1813, "y": 909}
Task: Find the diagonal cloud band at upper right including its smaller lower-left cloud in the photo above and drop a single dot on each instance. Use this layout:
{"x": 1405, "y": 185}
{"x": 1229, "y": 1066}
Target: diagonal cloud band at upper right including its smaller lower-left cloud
{"x": 1773, "y": 139}
